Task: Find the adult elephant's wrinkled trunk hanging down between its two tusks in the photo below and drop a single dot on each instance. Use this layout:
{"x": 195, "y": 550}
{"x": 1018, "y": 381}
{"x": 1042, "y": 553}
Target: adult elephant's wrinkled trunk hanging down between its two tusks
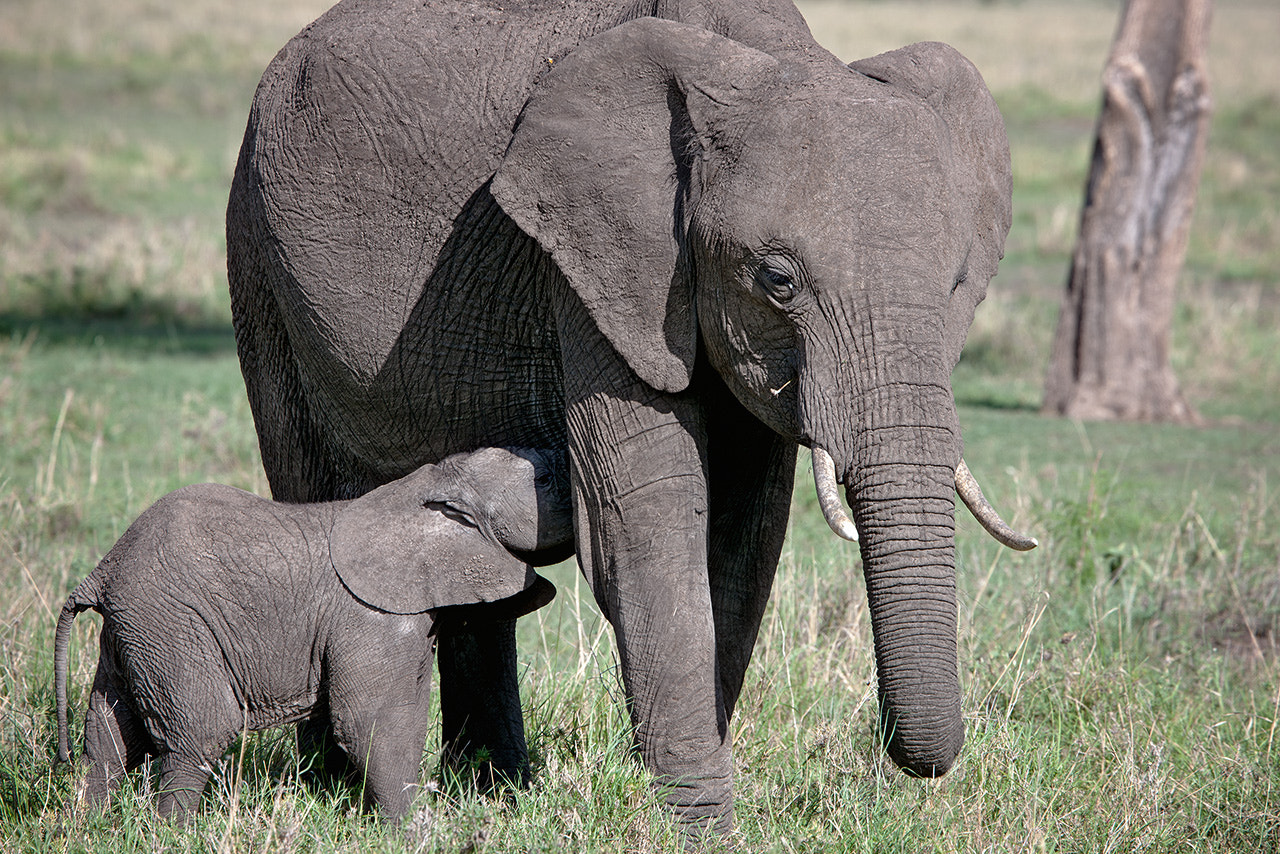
{"x": 898, "y": 465}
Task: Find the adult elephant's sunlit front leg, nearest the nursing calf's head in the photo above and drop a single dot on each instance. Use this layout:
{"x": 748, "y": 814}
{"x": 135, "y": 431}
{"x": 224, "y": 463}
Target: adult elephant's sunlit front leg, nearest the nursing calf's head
{"x": 641, "y": 496}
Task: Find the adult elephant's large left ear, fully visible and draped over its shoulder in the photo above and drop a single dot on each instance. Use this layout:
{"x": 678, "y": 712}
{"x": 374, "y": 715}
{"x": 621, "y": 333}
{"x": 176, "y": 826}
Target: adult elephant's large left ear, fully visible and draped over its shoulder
{"x": 604, "y": 167}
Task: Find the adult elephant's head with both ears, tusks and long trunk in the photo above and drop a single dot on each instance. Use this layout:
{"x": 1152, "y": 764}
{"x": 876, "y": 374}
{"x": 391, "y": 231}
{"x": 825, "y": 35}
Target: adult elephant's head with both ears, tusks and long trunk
{"x": 824, "y": 235}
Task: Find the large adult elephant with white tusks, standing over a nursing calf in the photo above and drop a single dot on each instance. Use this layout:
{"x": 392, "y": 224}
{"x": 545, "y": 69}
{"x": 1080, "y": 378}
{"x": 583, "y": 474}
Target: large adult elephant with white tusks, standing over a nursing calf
{"x": 678, "y": 239}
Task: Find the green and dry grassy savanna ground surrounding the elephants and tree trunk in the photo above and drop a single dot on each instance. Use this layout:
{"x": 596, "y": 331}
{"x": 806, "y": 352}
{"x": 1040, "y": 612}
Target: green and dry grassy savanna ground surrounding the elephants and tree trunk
{"x": 1122, "y": 682}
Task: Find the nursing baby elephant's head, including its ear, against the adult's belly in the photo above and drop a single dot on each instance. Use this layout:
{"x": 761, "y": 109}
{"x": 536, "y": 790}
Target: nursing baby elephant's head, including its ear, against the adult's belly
{"x": 459, "y": 533}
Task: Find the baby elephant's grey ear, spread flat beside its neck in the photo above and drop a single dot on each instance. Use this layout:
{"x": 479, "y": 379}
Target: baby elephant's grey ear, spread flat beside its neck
{"x": 403, "y": 550}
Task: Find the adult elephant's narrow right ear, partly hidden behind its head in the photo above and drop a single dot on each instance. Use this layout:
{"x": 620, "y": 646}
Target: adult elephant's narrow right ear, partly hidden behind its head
{"x": 950, "y": 84}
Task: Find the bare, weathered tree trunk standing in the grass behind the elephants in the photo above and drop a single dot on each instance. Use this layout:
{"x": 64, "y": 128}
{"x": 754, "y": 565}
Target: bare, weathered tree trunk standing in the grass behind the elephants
{"x": 1112, "y": 350}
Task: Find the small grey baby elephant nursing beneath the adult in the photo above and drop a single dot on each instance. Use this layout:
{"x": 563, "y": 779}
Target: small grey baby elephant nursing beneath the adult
{"x": 225, "y": 613}
